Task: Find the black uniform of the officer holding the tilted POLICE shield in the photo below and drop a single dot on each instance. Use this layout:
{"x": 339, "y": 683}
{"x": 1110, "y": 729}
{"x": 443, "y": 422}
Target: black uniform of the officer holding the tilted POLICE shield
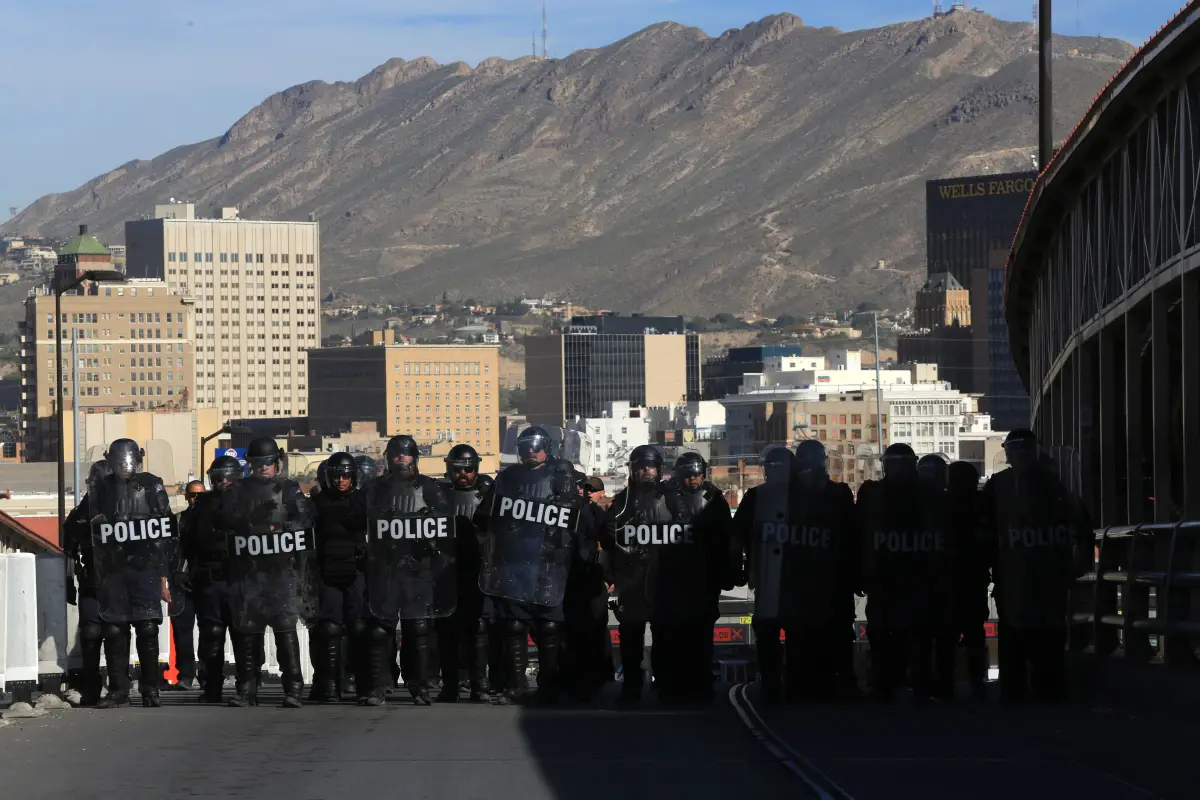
{"x": 551, "y": 482}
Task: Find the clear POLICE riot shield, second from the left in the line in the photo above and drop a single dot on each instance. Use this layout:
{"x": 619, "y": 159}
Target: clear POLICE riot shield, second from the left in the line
{"x": 272, "y": 567}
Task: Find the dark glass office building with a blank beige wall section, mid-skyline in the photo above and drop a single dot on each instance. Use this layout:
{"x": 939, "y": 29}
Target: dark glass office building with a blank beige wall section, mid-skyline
{"x": 645, "y": 362}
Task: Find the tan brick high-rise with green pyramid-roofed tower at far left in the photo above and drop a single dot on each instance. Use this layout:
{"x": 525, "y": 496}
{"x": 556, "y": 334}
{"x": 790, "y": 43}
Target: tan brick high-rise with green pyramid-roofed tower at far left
{"x": 135, "y": 348}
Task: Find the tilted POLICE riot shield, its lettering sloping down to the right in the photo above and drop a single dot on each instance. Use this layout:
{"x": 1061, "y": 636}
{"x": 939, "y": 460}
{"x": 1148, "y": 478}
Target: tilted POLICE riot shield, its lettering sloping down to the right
{"x": 527, "y": 552}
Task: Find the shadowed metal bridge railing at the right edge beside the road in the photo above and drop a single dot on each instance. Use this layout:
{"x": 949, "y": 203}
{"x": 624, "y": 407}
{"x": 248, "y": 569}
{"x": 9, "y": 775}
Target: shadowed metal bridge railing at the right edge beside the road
{"x": 1142, "y": 600}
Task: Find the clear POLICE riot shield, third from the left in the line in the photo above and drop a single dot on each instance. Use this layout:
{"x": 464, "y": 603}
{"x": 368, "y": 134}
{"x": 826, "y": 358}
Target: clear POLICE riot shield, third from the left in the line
{"x": 412, "y": 566}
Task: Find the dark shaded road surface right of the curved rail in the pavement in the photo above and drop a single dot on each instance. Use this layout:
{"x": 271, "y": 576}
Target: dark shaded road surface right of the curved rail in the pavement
{"x": 982, "y": 753}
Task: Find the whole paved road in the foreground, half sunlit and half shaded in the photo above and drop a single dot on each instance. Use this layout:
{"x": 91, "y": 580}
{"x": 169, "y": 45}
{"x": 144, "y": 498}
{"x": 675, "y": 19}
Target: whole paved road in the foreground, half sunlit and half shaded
{"x": 734, "y": 750}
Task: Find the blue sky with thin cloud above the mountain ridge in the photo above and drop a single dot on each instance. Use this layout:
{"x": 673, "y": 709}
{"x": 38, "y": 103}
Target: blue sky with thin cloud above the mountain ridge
{"x": 87, "y": 86}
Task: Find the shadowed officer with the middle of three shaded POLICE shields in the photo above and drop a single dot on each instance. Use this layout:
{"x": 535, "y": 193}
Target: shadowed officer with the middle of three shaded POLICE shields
{"x": 907, "y": 569}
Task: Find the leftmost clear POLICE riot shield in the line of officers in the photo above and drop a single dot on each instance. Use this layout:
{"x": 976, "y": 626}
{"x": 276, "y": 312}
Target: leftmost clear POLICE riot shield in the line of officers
{"x": 135, "y": 551}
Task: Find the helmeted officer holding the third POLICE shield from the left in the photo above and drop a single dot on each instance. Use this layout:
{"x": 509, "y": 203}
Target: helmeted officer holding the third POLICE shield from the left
{"x": 411, "y": 576}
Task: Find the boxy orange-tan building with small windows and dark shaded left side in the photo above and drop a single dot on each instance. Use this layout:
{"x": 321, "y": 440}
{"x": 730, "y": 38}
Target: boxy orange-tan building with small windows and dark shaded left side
{"x": 435, "y": 393}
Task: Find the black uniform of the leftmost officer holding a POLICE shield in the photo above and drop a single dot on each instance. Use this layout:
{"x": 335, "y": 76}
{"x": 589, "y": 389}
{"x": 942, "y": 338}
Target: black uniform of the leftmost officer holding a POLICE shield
{"x": 113, "y": 498}
